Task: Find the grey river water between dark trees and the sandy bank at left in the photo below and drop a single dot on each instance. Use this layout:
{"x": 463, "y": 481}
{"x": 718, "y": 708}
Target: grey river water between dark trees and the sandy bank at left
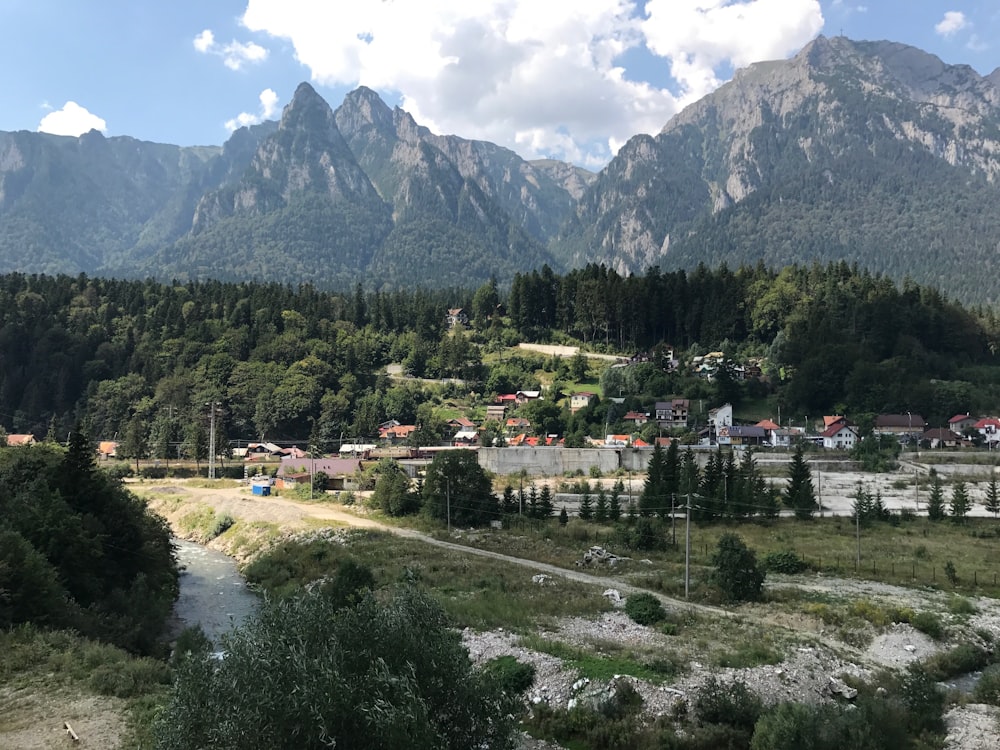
{"x": 213, "y": 594}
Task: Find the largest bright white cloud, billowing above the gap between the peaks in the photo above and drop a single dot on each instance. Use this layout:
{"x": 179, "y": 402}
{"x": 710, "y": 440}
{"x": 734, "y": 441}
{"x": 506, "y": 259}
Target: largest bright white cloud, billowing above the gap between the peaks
{"x": 544, "y": 78}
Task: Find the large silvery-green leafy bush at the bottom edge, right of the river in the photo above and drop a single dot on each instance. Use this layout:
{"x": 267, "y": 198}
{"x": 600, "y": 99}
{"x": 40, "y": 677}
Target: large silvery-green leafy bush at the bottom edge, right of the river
{"x": 387, "y": 672}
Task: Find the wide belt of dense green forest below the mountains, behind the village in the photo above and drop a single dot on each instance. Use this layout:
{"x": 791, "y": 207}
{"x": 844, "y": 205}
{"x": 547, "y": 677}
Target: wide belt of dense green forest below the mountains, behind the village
{"x": 142, "y": 360}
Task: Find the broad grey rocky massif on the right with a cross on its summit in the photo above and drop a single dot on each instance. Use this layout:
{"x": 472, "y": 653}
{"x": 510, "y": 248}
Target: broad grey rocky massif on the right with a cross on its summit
{"x": 871, "y": 152}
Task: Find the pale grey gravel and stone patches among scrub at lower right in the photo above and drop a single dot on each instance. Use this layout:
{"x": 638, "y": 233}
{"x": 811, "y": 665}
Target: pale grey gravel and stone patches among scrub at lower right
{"x": 811, "y": 671}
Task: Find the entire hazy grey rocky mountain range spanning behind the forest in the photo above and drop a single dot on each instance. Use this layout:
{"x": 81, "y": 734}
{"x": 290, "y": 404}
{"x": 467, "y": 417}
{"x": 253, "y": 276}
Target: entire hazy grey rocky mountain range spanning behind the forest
{"x": 873, "y": 153}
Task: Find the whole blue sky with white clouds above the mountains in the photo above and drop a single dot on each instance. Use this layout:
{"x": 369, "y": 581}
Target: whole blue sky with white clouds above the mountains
{"x": 565, "y": 79}
